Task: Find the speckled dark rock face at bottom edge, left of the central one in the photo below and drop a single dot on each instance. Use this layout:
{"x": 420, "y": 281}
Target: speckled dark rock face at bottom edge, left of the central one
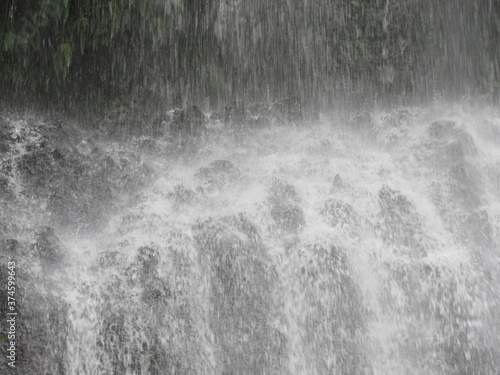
{"x": 141, "y": 315}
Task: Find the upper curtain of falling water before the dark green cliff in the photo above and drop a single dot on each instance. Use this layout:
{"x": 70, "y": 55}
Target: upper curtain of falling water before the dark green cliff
{"x": 213, "y": 52}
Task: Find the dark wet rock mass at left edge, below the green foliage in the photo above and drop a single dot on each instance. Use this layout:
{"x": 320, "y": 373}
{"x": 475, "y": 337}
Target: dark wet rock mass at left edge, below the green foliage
{"x": 75, "y": 182}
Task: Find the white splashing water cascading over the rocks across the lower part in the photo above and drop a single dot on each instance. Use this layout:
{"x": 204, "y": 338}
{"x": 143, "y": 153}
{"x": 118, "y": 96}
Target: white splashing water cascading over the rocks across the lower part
{"x": 362, "y": 246}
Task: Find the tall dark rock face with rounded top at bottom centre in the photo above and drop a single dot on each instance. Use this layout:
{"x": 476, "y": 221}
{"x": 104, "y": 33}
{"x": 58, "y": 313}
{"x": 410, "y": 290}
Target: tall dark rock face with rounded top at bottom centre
{"x": 242, "y": 296}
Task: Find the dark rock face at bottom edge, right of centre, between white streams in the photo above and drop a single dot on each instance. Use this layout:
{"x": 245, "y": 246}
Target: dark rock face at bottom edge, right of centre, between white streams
{"x": 334, "y": 318}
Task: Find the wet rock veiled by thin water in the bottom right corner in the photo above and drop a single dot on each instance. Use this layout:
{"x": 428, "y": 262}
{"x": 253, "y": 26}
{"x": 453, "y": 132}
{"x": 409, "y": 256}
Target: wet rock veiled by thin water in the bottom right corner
{"x": 443, "y": 305}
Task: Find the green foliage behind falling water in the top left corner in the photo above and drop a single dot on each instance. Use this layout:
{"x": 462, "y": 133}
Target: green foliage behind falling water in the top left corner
{"x": 85, "y": 46}
